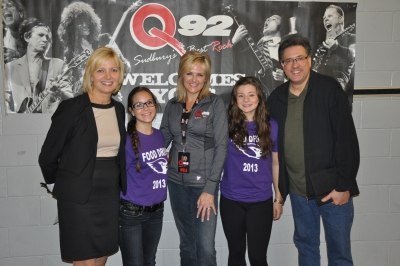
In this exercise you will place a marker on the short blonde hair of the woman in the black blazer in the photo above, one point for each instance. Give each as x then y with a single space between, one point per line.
98 57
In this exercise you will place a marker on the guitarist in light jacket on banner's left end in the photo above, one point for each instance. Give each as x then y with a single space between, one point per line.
33 75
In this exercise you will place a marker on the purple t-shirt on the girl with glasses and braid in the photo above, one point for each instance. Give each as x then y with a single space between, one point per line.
150 185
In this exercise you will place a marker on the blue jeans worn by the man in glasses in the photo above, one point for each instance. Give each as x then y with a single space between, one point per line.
337 222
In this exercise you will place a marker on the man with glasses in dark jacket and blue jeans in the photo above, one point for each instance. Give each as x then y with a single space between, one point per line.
318 155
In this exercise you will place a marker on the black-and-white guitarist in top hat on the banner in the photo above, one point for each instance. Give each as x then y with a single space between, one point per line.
268 45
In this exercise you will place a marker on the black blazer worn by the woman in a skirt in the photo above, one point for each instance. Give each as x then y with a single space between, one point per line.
68 153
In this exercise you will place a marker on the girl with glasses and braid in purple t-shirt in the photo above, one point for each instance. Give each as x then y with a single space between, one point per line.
142 208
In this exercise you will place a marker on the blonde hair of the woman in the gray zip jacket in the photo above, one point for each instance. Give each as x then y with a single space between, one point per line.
186 64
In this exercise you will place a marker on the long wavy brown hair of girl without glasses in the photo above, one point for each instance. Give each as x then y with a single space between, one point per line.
237 120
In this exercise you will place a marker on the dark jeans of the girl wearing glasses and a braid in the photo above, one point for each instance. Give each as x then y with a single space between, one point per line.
139 234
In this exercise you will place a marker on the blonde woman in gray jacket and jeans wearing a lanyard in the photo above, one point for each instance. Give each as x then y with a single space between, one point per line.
195 122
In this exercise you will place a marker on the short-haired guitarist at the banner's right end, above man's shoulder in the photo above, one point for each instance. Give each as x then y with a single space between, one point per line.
336 55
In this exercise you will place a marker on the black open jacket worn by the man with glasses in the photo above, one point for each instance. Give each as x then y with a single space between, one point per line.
330 138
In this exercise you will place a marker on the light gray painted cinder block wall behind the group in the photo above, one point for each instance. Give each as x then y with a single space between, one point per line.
28 236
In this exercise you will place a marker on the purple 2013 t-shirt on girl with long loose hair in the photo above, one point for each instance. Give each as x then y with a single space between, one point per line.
248 177
